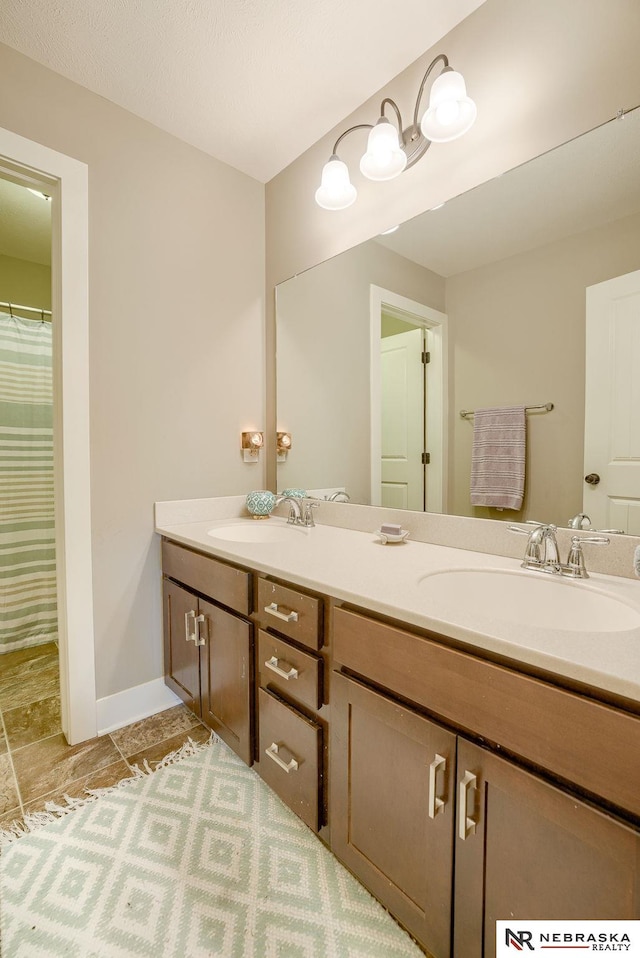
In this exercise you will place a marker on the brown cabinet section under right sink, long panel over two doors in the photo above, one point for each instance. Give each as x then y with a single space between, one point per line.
509 841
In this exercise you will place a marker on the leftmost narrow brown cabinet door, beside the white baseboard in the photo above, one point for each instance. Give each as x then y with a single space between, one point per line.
181 654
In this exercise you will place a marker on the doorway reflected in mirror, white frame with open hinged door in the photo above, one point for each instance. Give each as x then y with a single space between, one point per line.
408 403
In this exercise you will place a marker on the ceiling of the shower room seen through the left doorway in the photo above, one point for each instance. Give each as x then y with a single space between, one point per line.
25 224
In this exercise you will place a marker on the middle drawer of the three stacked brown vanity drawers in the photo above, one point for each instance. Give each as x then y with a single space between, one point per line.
295 673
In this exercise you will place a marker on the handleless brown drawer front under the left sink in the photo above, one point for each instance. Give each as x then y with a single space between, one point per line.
209 576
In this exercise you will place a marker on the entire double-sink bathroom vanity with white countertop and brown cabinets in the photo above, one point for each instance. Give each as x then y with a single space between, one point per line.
462 776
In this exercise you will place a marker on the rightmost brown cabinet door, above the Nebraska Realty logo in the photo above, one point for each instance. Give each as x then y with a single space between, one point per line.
531 851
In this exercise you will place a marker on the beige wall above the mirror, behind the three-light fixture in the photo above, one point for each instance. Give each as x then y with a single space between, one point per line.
541 73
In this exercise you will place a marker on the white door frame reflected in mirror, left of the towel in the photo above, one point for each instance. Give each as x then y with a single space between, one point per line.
436 324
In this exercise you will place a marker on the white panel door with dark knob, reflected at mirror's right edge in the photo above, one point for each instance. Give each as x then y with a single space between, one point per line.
612 404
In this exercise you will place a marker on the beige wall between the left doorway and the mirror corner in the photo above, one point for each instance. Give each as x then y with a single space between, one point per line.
176 296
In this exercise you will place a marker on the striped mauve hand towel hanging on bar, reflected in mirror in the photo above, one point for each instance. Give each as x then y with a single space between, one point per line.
498 457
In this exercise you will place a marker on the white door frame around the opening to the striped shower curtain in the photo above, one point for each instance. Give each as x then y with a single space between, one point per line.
66 180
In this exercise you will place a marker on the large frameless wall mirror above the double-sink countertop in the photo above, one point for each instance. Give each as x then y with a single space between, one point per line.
496 287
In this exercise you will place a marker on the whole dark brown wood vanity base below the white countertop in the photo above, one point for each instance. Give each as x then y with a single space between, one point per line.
460 791
